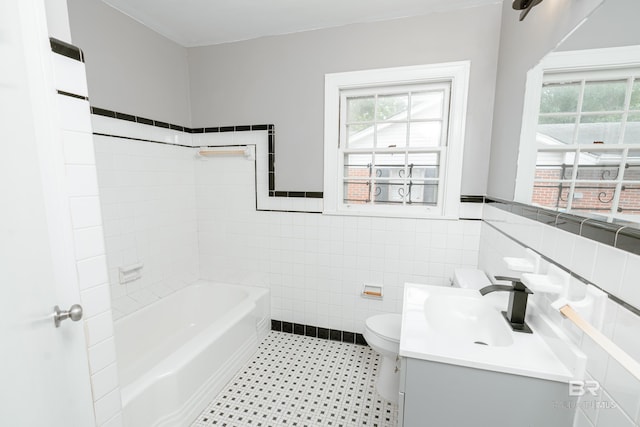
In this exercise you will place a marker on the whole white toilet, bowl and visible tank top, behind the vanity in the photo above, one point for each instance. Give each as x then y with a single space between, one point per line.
382 333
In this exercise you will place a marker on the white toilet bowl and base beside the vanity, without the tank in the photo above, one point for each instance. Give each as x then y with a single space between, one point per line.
382 333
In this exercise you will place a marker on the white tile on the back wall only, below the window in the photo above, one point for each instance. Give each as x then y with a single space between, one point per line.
316 265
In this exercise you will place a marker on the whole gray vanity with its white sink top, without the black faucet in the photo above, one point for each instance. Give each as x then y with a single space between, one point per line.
462 365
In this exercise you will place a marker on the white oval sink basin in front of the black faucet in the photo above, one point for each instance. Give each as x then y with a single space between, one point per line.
468 319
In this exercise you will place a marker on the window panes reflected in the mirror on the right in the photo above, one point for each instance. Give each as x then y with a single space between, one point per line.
588 142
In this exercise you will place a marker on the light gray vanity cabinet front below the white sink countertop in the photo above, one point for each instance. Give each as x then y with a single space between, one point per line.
434 394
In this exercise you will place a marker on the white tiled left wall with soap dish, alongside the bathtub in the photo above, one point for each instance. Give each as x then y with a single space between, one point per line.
147 192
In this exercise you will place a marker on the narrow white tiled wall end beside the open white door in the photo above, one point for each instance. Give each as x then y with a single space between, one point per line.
84 208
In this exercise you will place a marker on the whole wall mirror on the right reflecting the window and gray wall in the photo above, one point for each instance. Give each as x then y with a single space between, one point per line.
580 150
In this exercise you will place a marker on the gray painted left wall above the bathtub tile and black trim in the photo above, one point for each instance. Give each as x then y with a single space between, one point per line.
130 68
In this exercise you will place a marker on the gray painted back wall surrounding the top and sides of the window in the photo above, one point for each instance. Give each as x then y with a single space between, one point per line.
280 80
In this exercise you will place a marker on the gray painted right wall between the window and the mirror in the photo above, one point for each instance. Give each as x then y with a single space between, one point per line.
522 45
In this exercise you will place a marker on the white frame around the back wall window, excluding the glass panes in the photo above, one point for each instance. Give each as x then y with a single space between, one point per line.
454 73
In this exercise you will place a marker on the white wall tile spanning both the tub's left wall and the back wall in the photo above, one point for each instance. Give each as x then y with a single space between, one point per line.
186 217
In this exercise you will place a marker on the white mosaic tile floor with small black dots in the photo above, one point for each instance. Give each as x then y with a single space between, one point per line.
294 380
